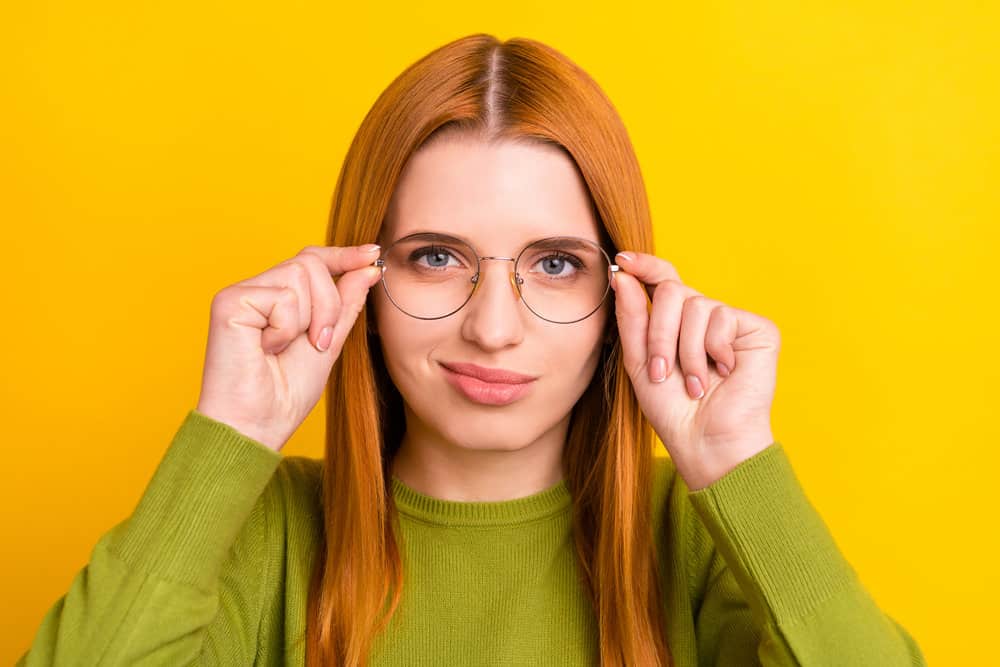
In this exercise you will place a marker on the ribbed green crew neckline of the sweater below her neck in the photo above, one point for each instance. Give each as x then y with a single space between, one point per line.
553 500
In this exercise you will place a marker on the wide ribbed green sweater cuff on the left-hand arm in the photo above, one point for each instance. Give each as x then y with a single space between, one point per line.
196 502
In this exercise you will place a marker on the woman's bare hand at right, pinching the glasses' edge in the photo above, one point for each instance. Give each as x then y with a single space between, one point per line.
706 435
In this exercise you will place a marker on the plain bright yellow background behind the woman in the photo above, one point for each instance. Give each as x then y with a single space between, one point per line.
832 166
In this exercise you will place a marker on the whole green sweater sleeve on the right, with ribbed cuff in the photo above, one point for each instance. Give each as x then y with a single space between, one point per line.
779 592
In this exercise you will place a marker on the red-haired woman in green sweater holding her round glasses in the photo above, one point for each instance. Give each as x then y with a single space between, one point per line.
489 493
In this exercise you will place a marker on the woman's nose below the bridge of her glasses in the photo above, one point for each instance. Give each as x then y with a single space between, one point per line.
493 316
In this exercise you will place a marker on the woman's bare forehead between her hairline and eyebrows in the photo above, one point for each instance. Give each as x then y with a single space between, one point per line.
496 196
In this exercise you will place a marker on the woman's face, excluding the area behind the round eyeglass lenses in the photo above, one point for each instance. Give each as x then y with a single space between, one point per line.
497 198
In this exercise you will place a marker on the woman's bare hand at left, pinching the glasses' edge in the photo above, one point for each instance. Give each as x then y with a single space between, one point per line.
265 362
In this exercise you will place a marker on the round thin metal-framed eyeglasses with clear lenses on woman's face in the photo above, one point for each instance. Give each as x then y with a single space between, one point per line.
561 279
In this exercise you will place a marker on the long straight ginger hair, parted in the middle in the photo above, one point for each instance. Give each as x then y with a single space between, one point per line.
513 90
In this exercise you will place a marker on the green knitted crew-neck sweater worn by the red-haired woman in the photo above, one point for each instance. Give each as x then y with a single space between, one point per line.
213 566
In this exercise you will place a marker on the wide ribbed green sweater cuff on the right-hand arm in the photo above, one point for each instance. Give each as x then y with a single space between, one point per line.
780 550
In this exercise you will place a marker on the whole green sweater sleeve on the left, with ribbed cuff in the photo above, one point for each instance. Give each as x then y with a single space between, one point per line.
180 580
